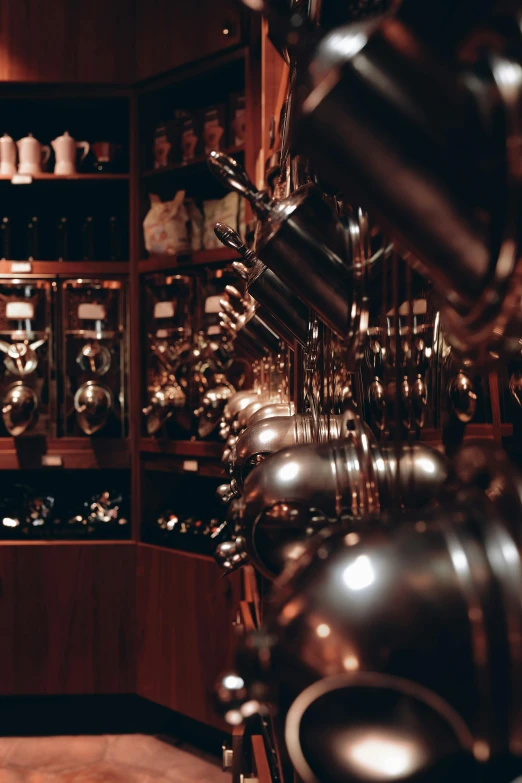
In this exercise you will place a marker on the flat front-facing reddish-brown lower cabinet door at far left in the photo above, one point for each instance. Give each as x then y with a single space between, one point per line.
67 615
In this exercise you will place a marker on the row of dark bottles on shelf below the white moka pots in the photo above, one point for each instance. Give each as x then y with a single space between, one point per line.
69 239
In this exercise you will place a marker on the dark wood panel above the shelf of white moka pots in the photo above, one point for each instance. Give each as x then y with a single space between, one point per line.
66 41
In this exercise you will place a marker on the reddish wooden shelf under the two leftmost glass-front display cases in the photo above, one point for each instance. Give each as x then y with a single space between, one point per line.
32 452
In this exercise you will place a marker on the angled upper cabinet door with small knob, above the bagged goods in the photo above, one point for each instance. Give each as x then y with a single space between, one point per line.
171 34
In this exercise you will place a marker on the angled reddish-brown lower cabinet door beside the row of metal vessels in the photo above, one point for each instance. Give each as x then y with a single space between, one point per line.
185 634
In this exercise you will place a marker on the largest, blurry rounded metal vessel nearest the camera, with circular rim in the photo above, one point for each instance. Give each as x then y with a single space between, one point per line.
428 607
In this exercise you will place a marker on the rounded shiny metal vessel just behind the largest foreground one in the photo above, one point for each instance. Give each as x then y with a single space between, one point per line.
300 489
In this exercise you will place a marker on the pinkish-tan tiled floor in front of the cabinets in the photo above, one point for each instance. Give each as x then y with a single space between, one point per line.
133 758
